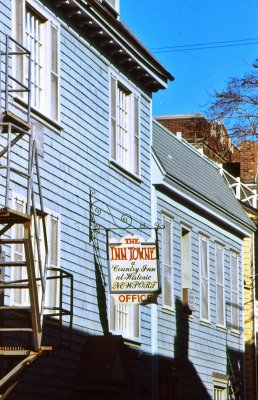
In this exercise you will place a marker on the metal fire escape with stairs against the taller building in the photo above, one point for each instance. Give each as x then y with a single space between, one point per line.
21 326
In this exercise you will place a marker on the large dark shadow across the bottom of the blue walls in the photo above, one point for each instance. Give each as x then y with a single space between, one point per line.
104 368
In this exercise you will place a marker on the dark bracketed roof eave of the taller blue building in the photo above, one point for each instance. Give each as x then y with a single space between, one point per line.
115 41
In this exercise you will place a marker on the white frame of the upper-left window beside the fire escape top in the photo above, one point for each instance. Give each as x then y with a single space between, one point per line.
50 30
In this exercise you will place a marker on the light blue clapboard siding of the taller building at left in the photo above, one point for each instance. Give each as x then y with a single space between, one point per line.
77 158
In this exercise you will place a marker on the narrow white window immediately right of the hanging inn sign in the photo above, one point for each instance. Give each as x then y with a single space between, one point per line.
167 268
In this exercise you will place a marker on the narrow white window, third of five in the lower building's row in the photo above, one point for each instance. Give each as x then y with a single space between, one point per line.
204 278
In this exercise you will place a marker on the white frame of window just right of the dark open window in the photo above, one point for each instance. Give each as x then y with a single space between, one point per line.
204 279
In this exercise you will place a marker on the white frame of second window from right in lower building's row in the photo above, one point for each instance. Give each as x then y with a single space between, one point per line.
220 285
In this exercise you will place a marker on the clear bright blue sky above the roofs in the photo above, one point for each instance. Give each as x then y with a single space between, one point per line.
197 73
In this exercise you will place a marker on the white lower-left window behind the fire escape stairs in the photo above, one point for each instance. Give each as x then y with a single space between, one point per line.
21 297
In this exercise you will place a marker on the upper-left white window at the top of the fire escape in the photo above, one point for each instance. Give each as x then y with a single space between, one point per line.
35 31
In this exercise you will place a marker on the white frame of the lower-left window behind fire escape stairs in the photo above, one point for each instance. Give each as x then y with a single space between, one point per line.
24 293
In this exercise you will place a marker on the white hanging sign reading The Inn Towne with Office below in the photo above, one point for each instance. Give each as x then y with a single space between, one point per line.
134 275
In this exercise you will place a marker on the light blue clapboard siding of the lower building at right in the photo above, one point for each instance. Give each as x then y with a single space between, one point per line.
207 343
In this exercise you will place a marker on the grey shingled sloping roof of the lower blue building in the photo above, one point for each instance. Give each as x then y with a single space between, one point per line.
196 178
